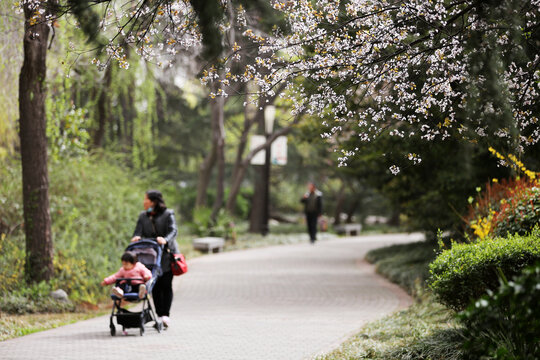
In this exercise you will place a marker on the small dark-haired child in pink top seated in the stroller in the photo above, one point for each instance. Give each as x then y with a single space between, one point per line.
133 269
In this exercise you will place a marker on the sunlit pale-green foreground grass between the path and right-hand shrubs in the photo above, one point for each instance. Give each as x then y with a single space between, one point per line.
426 330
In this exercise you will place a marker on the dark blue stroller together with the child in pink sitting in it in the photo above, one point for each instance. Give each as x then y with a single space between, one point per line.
130 286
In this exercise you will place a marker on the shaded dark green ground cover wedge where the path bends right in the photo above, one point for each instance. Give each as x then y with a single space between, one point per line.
404 264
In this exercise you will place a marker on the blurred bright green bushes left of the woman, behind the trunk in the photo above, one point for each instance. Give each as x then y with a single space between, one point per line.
94 203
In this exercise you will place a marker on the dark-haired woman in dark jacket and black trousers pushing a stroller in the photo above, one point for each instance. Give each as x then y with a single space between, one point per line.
156 221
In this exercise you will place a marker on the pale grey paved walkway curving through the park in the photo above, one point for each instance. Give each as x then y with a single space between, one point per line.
284 302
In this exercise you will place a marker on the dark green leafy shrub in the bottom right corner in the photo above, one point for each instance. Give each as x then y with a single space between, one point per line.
506 324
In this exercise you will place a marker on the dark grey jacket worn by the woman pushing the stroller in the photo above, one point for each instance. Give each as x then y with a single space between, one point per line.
165 226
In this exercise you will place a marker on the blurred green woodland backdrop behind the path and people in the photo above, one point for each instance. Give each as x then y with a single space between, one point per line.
116 129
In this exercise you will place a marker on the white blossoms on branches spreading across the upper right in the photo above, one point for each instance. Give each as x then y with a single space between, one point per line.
413 69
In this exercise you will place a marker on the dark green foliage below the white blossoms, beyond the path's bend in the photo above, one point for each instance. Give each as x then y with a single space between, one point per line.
432 193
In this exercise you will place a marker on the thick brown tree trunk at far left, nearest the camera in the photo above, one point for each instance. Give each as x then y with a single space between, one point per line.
32 95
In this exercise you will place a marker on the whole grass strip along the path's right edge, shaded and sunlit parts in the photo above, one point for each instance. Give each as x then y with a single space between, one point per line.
427 330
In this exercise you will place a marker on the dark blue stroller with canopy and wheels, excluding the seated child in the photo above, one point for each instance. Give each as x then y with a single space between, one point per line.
149 254
